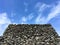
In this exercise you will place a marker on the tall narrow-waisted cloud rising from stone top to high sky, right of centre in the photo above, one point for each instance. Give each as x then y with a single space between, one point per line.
41 7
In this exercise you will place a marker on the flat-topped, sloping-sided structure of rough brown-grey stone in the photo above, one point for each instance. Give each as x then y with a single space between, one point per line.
33 34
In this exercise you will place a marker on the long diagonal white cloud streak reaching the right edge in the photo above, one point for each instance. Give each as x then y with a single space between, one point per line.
54 12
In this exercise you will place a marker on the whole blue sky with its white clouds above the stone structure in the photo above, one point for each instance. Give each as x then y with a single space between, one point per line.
29 12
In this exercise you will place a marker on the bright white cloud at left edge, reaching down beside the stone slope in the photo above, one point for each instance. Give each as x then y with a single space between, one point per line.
4 22
